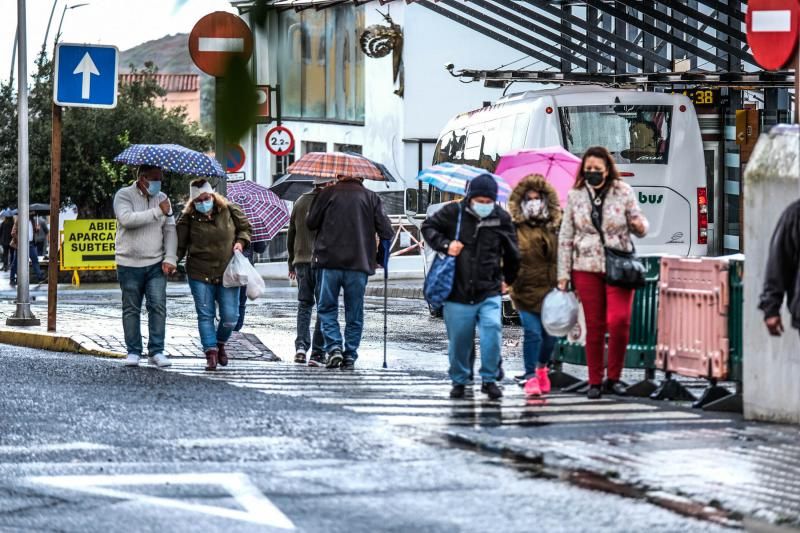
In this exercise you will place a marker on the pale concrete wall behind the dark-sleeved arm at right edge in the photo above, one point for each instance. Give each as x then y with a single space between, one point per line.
771 365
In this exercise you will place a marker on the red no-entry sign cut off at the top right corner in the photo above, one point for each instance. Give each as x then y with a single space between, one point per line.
772 29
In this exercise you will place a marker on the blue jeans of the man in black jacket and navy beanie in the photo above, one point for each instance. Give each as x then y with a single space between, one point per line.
460 321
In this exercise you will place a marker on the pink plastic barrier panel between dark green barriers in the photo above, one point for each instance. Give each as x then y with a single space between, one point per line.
693 317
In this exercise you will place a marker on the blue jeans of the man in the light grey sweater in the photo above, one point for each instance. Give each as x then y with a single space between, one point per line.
136 284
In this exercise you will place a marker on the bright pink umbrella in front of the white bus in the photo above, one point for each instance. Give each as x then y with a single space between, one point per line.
557 165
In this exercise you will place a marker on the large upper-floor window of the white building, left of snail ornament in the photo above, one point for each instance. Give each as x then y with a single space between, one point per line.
321 67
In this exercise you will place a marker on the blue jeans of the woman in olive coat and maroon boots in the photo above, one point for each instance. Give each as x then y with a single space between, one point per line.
207 296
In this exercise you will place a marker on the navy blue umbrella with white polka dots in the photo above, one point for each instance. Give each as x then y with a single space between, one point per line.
172 157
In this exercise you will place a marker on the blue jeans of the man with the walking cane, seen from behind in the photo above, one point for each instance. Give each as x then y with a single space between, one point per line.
332 282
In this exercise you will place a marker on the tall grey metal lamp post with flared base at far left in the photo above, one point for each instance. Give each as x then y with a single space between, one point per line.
23 315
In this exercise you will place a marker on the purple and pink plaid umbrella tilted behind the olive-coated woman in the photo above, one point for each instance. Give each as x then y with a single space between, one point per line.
266 212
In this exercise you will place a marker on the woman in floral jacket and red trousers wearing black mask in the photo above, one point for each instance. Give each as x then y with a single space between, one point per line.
581 257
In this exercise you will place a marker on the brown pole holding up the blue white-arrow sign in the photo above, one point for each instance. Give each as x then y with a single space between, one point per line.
55 207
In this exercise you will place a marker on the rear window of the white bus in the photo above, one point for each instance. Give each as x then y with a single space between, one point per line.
632 133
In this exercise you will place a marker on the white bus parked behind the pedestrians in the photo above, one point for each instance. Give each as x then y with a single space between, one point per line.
654 138
